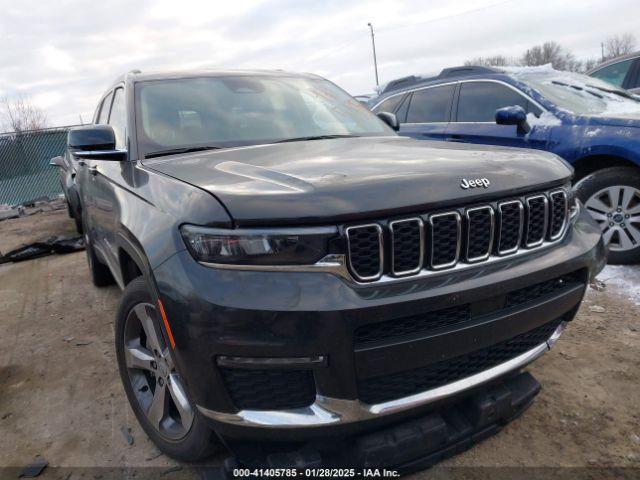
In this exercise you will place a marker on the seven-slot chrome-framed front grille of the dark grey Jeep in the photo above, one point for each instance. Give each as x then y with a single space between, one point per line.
442 240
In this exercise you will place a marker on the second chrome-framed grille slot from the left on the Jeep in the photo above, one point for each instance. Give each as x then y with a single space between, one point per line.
403 235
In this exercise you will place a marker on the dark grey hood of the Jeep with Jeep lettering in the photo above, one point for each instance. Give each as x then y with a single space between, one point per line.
355 178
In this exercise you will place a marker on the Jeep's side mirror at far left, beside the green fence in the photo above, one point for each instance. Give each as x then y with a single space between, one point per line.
94 142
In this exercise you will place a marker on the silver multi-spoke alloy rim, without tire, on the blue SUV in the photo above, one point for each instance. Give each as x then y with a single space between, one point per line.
617 211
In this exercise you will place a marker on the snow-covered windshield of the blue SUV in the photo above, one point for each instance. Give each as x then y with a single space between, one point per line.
582 95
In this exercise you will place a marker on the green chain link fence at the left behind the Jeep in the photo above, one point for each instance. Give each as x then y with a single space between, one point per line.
25 173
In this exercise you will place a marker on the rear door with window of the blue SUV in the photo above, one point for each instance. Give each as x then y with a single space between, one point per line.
428 112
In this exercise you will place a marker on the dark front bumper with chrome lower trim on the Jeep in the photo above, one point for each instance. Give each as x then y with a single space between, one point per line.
314 315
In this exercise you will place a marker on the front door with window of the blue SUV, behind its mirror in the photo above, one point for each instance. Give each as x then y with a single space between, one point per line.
474 116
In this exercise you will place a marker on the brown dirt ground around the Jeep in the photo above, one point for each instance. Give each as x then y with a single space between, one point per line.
61 397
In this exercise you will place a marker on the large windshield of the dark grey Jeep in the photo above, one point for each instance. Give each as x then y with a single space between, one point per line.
230 111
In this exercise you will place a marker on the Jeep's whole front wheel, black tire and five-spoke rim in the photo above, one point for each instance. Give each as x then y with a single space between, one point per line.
154 388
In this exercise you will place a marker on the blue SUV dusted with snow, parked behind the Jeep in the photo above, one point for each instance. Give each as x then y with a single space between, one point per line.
591 124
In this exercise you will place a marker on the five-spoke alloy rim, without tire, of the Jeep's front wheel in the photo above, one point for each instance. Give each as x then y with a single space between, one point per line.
156 385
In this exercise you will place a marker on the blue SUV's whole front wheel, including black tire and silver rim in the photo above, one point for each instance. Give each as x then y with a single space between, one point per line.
612 197
